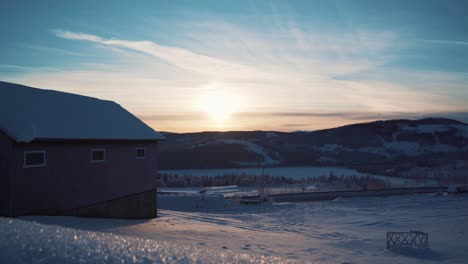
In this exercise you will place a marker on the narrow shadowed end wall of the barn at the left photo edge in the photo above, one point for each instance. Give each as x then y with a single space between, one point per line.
6 150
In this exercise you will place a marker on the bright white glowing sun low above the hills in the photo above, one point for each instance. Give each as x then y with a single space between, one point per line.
219 106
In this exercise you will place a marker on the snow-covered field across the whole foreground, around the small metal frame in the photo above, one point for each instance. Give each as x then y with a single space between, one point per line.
211 229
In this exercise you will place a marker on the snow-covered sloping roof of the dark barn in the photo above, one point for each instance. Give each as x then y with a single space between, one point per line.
28 114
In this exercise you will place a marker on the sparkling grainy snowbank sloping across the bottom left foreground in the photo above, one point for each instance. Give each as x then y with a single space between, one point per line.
30 242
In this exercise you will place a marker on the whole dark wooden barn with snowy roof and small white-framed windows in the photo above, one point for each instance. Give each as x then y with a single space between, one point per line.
67 154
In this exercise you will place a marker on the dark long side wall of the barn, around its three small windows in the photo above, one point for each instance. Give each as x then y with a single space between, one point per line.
70 180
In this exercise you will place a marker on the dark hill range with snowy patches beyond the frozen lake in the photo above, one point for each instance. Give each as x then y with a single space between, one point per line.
383 146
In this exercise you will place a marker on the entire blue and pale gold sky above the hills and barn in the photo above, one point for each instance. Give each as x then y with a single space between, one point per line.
186 66
